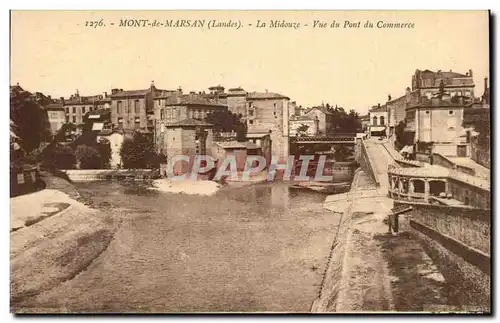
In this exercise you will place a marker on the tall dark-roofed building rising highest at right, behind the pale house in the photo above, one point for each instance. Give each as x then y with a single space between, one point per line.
428 83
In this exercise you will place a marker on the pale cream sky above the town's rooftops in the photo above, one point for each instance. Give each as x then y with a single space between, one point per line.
55 53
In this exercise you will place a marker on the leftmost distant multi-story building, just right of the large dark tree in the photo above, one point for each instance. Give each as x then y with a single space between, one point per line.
77 106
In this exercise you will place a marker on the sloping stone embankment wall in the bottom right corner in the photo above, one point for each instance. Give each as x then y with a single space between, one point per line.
458 240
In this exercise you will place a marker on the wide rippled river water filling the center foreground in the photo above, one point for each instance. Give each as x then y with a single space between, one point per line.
256 248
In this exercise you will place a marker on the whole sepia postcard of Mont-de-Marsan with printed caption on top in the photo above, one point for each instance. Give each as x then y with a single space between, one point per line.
250 162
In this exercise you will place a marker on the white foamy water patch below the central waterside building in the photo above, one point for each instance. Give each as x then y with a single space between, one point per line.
205 188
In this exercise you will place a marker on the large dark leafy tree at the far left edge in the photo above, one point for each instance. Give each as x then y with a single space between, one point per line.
30 119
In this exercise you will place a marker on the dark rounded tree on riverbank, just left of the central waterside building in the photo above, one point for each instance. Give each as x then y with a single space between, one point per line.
139 152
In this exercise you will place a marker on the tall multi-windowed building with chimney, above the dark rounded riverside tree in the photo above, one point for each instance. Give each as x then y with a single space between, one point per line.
134 109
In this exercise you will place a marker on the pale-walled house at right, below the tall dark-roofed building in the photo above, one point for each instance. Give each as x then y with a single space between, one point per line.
437 126
